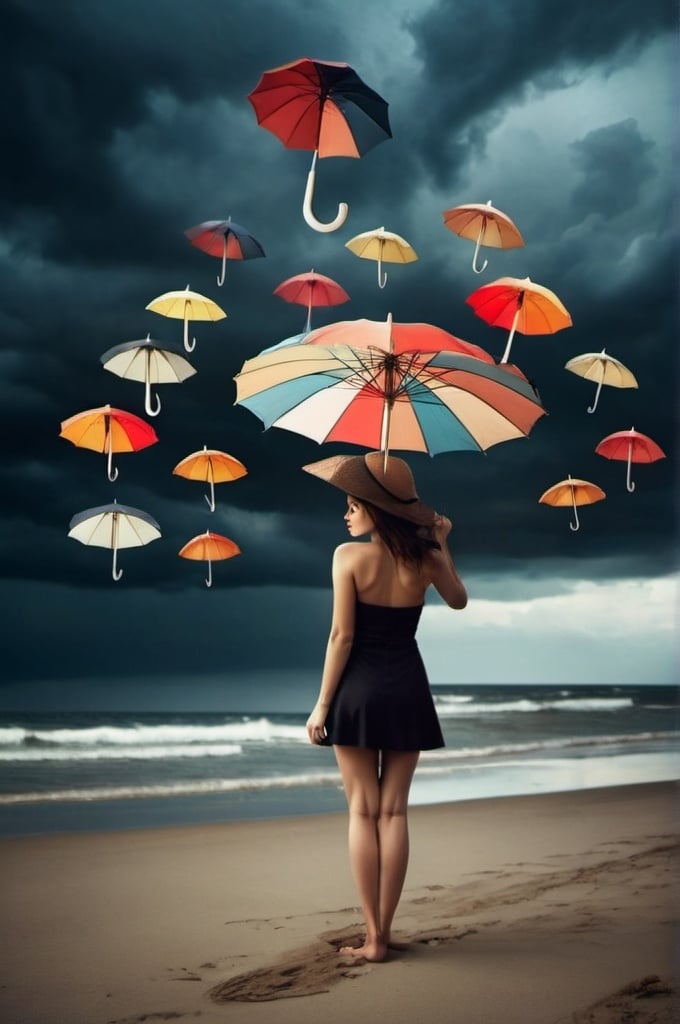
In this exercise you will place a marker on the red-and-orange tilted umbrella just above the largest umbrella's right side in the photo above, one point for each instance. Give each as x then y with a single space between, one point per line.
521 306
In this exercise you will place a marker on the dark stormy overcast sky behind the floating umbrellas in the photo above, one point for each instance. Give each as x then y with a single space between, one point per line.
126 123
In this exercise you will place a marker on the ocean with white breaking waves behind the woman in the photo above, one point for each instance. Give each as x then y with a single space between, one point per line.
80 772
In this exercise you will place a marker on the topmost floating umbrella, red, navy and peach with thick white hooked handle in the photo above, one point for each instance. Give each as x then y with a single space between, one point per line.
324 107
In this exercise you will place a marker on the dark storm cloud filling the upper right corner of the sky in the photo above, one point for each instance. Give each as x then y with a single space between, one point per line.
479 59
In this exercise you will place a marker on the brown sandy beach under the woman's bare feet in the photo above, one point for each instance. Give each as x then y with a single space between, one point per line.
546 910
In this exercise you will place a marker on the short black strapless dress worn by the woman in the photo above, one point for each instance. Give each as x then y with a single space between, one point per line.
384 700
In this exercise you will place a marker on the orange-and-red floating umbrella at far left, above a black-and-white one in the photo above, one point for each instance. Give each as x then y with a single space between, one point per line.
109 431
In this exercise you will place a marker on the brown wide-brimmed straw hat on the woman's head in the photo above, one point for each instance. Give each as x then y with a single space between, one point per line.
365 477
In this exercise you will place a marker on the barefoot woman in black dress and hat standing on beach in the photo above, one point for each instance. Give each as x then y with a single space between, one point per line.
374 704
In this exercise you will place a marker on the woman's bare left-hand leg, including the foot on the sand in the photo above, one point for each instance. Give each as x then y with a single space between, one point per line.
359 769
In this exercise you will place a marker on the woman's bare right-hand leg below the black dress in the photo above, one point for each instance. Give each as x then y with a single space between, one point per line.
397 774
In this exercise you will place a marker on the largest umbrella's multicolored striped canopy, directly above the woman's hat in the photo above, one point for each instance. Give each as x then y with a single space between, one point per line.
418 402
